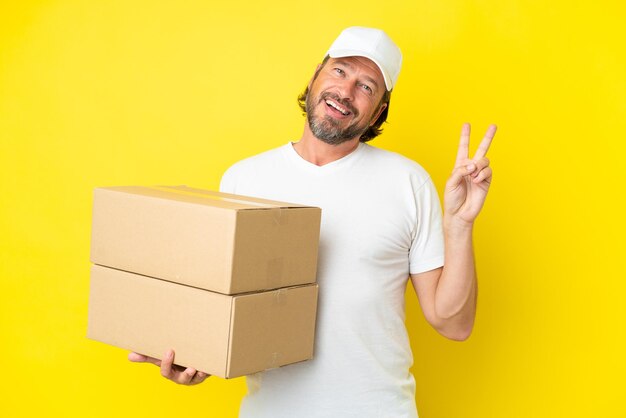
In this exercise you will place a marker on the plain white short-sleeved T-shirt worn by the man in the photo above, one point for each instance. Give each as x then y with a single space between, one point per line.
381 220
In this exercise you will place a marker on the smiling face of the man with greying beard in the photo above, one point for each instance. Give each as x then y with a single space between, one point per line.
344 99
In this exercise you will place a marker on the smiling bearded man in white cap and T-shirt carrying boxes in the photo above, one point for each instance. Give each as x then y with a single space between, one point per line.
381 225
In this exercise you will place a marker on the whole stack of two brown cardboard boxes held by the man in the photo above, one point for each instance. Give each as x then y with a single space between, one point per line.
227 281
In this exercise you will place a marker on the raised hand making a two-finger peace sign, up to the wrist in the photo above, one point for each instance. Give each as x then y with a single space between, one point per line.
467 187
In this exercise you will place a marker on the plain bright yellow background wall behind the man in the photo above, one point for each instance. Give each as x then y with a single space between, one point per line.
96 93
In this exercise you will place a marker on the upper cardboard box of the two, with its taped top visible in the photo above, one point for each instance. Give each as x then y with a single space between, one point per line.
220 242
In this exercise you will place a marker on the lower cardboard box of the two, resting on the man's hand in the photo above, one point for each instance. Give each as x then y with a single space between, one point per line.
226 336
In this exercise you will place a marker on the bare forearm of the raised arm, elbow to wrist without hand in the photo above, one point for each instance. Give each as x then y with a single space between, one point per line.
455 297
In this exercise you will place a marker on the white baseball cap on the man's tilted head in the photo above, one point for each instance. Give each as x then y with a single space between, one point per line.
370 43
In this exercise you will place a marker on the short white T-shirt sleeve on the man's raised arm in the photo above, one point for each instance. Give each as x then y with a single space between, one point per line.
427 246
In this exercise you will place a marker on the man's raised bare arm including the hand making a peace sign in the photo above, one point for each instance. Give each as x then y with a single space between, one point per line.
449 295
